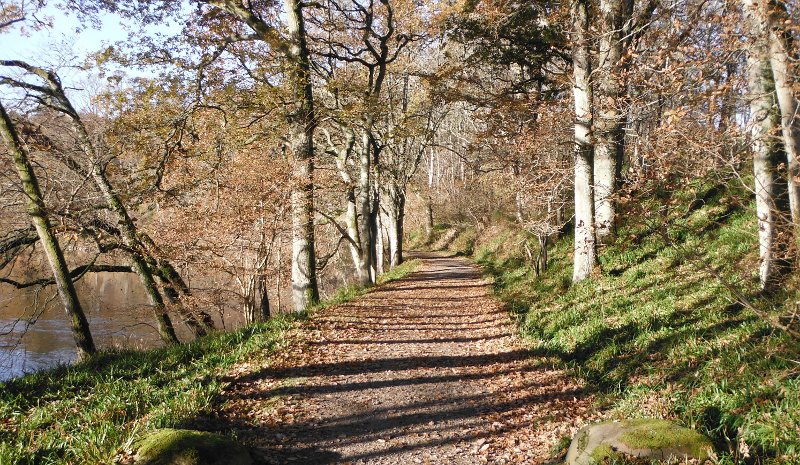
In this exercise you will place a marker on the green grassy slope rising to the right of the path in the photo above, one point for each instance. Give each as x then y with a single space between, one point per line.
657 332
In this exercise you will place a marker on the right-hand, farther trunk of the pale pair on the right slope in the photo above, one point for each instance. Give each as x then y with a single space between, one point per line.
608 144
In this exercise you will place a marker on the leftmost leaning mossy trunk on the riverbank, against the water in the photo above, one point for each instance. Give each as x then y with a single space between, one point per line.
36 209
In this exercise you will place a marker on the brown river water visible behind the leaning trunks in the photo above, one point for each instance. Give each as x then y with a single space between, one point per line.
35 332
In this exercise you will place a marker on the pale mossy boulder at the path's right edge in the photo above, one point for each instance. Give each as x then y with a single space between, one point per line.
645 438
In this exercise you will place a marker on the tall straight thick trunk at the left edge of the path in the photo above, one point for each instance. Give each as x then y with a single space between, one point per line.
301 134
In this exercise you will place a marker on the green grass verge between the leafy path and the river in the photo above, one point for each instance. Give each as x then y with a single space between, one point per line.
86 413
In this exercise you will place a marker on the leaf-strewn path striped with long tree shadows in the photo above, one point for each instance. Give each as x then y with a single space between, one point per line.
425 370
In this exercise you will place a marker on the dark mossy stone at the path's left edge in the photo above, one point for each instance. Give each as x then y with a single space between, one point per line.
188 447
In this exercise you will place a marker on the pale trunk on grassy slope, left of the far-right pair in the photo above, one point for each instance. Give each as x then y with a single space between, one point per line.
772 225
